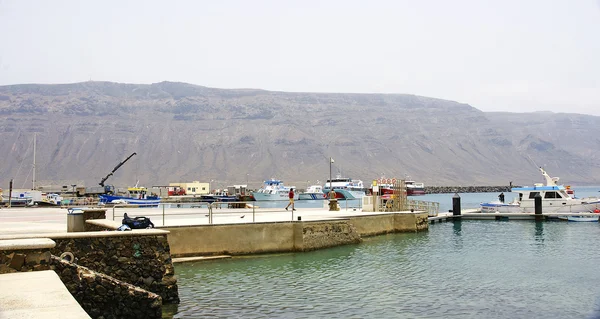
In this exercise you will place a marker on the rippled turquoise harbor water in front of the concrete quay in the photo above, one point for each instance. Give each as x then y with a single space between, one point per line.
469 269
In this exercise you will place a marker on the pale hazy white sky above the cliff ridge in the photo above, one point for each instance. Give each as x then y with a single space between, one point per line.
497 55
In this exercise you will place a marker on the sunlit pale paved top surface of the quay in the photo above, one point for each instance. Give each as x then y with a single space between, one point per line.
23 221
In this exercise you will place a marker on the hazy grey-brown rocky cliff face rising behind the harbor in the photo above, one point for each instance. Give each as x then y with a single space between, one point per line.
183 132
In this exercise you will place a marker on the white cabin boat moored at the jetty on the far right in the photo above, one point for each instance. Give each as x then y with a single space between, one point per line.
555 199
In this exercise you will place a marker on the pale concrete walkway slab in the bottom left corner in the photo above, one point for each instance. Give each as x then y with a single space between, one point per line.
38 294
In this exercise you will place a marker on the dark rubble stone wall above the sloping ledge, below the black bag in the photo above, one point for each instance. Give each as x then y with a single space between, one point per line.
143 261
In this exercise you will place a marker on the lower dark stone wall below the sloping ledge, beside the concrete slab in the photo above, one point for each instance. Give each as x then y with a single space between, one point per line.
105 297
